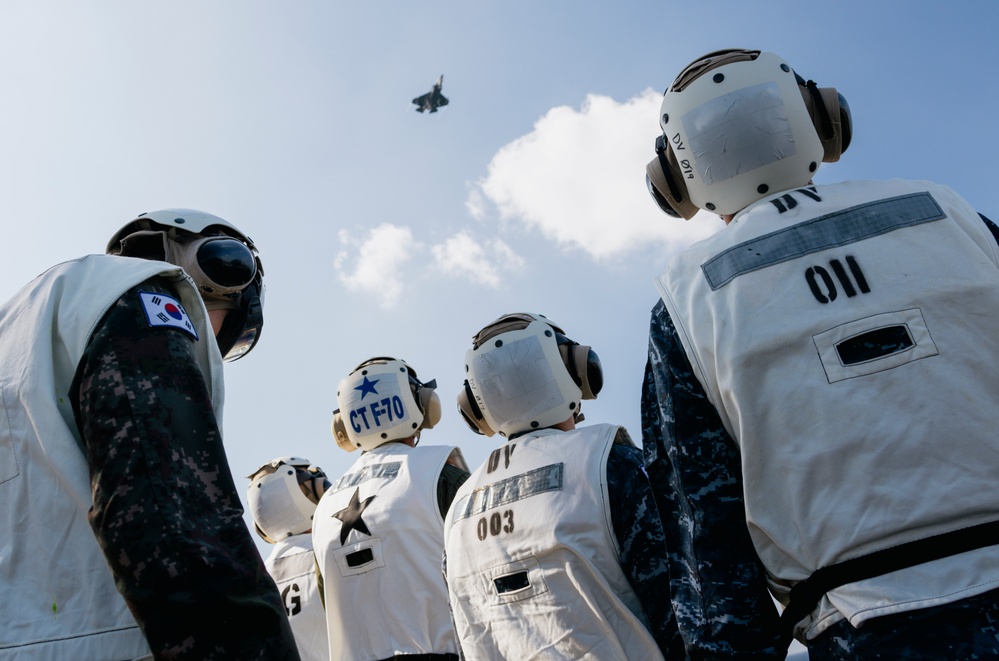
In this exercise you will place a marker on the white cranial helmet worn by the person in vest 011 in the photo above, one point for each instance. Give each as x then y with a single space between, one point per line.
740 125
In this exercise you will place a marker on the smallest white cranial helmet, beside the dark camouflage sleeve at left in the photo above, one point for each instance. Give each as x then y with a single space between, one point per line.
282 497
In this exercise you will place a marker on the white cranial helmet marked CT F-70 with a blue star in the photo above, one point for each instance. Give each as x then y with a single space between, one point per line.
382 401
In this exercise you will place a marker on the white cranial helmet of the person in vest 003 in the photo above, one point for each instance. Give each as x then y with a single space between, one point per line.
524 374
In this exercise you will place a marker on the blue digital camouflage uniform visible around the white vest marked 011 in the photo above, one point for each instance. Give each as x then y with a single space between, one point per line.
718 586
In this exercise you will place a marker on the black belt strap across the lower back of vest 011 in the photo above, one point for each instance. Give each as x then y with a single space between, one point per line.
806 594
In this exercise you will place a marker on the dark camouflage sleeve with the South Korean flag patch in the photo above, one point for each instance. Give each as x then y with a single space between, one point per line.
166 511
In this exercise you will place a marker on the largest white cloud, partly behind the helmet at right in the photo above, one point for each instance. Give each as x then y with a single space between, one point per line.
579 179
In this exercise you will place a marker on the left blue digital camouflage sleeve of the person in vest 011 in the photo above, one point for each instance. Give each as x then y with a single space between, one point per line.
717 582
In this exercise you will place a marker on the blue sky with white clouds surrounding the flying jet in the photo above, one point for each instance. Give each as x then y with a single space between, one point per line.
388 232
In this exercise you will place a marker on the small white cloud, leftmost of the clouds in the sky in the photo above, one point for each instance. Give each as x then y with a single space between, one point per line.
373 264
